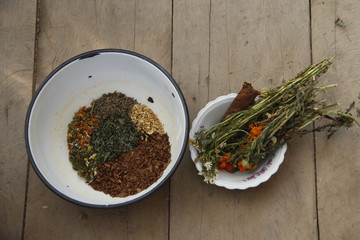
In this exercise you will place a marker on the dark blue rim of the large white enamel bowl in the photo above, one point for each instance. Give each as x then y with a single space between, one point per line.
90 54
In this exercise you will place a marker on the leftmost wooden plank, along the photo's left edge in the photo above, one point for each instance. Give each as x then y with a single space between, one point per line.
17 34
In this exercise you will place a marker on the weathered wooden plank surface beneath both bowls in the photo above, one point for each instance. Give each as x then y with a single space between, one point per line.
211 48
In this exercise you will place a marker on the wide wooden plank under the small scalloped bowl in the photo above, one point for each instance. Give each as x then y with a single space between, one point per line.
262 43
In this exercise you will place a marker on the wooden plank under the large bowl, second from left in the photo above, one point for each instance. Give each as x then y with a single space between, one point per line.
68 28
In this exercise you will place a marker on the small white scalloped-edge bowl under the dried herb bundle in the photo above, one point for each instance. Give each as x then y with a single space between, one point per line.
209 116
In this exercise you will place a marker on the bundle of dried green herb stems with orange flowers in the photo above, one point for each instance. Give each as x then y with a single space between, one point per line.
245 138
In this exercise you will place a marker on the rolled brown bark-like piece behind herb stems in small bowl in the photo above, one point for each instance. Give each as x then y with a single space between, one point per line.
243 100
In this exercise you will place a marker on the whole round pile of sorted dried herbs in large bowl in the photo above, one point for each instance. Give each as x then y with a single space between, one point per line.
118 145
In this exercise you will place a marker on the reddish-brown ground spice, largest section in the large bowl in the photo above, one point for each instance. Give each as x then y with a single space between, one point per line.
134 171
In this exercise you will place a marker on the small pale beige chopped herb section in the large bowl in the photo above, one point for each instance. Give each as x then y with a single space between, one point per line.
146 120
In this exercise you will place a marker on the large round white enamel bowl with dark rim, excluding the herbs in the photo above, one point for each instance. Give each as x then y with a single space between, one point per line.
76 83
